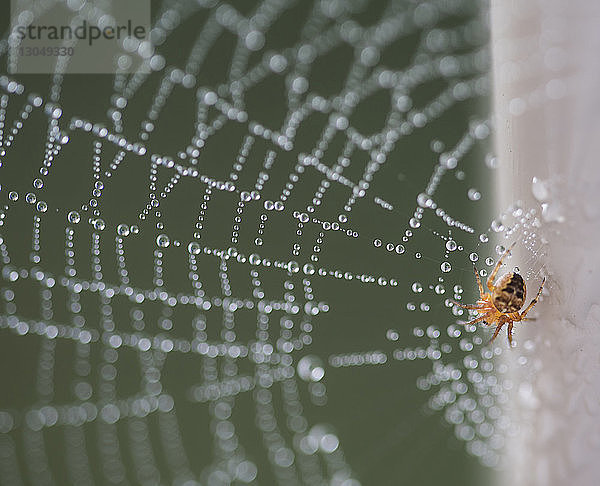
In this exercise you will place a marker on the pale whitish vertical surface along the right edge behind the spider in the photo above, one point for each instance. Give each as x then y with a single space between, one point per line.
547 101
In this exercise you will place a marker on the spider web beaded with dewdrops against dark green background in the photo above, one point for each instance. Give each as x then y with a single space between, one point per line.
197 257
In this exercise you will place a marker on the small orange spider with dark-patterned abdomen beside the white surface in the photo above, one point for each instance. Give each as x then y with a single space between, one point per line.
501 304
